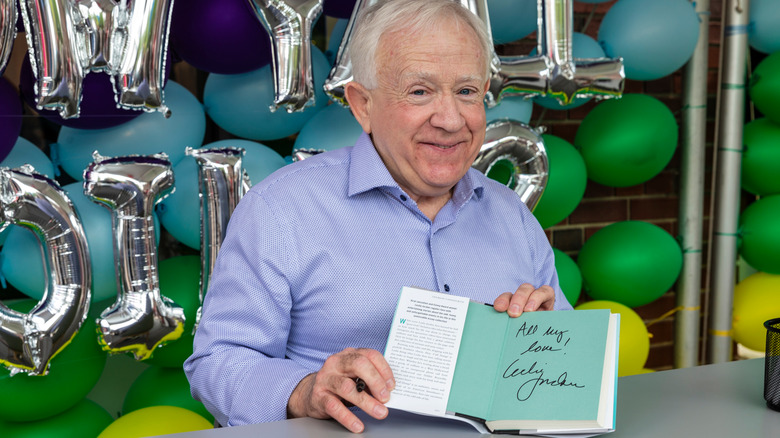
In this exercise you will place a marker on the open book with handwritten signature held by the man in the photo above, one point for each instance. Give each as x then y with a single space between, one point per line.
543 373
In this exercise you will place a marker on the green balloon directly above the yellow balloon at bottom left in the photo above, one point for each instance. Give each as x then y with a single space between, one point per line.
158 386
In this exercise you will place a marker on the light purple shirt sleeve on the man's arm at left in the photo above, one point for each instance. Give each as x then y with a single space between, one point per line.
238 367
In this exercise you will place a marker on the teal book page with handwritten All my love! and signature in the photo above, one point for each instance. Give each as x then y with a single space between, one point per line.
551 366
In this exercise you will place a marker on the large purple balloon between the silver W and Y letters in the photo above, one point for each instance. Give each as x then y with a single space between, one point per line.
221 36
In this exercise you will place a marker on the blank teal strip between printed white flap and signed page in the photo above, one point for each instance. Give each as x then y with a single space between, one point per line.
480 350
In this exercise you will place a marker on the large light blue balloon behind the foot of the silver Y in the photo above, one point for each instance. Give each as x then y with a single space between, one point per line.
241 103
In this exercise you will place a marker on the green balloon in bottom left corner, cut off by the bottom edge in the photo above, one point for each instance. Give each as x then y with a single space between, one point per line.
86 419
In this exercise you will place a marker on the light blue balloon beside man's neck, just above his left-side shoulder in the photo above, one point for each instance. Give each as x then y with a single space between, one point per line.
331 128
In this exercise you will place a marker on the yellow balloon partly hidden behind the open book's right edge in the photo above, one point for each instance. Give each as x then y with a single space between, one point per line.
634 345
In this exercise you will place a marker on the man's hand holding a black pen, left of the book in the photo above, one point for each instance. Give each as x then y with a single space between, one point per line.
325 394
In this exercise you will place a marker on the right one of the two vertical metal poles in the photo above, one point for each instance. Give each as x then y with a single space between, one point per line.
731 113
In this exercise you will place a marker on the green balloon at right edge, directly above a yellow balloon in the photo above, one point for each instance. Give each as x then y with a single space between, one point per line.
760 234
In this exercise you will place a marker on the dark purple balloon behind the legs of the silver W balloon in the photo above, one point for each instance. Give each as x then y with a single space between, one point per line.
97 109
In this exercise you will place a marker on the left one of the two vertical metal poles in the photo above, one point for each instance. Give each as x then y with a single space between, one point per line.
687 320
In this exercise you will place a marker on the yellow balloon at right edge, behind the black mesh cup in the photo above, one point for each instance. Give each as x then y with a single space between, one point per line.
756 299
